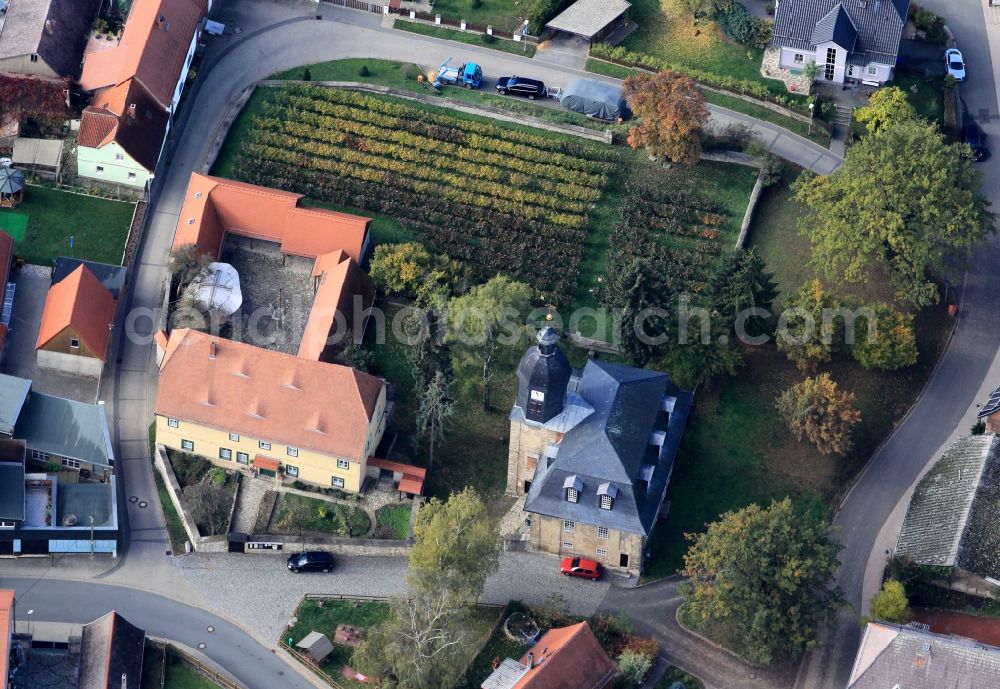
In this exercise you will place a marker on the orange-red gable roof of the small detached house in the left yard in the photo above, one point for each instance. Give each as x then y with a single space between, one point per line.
82 303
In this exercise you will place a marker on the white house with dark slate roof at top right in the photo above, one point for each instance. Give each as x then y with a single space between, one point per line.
846 39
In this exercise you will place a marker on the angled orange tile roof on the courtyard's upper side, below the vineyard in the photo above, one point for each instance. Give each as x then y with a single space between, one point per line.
214 206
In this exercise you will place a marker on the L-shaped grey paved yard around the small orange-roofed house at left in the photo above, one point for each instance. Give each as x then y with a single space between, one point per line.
19 357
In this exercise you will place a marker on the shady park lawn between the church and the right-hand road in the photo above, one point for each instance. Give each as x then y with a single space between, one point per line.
736 451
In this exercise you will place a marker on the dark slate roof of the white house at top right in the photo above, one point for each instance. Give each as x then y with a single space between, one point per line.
877 24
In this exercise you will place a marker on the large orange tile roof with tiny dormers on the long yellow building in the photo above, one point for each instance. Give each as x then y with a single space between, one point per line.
267 395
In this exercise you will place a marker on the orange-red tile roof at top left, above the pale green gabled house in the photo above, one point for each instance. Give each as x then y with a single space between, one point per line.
152 49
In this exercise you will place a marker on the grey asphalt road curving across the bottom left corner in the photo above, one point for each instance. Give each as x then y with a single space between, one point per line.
227 645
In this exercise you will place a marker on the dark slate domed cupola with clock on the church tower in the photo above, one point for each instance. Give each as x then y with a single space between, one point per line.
542 378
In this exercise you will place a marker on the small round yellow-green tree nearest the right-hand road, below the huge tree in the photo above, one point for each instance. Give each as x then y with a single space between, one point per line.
885 339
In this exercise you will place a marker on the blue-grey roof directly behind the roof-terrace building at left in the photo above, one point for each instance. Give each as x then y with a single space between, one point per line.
65 427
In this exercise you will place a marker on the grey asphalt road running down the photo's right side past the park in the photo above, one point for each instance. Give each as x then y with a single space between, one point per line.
946 409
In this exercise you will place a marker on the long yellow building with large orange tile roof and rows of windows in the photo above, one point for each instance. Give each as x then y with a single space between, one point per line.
242 406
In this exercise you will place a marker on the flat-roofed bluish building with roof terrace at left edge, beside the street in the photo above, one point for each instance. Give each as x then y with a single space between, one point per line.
44 512
